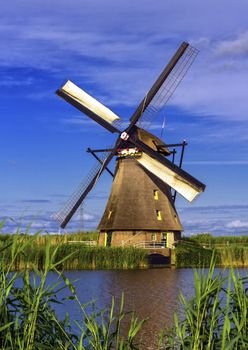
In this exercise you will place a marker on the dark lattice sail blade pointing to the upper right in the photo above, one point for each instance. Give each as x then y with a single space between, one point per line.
164 86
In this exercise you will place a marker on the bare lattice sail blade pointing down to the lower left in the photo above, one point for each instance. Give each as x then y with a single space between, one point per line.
74 202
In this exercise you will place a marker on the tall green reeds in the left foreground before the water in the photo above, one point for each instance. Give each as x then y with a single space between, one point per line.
27 318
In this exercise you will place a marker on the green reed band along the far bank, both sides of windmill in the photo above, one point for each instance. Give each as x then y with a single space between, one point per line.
83 253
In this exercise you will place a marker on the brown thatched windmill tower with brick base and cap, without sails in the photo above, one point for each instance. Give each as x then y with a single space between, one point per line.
140 207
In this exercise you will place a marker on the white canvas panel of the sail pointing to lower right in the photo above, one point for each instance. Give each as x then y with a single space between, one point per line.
174 180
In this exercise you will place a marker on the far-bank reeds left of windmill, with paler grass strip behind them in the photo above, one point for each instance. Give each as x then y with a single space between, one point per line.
82 256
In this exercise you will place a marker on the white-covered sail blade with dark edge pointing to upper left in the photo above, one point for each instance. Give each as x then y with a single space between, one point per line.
89 105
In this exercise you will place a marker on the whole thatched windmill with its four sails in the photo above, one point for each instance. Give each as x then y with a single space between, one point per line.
141 203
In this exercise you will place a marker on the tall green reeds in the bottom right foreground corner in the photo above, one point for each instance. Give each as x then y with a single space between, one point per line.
216 317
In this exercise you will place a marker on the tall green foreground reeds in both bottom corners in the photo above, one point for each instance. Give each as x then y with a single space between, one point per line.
216 316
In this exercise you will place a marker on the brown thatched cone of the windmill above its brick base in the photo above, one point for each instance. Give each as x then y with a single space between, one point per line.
131 204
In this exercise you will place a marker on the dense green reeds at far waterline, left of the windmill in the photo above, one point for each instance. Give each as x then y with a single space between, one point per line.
79 255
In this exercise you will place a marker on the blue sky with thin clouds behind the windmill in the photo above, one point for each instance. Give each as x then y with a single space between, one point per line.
115 50
